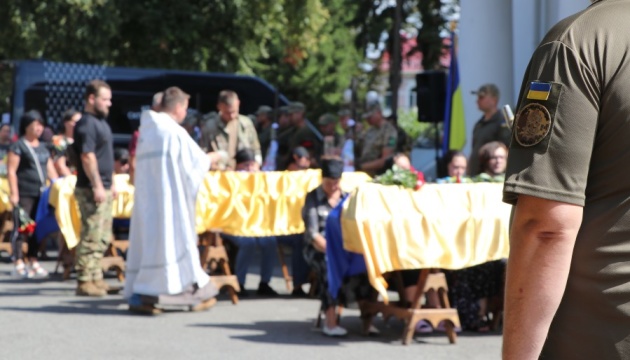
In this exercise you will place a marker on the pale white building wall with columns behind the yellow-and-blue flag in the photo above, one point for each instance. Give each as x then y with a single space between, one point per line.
496 41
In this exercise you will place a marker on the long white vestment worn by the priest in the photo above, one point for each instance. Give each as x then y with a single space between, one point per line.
163 258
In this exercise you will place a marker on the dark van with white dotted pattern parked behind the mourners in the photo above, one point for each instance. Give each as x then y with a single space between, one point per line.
53 87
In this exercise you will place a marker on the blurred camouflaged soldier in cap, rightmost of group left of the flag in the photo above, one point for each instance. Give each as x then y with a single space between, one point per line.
378 142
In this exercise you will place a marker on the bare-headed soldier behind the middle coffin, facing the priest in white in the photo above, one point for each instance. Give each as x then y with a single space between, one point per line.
229 132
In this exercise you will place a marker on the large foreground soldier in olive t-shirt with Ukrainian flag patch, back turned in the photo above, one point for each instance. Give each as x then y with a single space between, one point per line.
568 282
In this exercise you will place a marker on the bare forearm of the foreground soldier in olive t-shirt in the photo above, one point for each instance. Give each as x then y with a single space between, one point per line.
537 272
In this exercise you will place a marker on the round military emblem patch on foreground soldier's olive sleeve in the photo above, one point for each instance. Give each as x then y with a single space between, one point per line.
532 124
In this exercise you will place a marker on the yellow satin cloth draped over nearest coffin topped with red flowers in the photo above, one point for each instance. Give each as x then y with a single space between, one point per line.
448 226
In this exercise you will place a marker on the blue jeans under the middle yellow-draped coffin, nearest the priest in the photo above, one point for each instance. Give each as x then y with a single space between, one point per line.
246 249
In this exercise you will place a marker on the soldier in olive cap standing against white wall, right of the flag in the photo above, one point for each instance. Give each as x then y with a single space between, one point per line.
491 126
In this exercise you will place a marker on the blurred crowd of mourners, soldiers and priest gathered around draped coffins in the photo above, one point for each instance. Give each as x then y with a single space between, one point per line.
166 160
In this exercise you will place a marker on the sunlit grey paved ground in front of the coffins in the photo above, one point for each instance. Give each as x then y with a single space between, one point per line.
42 319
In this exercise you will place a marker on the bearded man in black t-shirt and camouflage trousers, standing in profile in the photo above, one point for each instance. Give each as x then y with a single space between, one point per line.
93 192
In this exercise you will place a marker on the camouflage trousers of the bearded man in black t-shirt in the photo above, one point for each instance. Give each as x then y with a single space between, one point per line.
96 233
